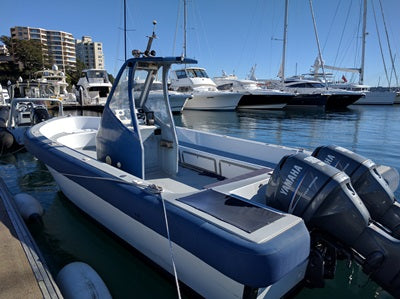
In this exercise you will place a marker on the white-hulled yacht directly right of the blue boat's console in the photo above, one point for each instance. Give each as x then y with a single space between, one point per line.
205 95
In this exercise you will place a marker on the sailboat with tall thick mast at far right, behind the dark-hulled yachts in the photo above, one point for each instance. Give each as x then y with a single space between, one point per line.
373 96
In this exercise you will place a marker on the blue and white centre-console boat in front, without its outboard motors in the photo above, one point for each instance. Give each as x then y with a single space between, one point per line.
240 245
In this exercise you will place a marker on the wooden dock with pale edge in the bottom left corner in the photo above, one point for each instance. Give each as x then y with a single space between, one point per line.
23 272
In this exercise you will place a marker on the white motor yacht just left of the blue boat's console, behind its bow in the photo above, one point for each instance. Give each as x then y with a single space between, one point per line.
93 87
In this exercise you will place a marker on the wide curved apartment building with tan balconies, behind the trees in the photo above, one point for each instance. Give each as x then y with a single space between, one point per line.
58 47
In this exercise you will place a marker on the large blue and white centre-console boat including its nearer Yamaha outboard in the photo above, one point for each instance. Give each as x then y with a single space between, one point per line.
229 218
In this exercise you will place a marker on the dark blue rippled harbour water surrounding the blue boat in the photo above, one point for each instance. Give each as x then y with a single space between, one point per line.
67 235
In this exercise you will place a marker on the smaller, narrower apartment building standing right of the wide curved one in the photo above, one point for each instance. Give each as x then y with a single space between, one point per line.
90 52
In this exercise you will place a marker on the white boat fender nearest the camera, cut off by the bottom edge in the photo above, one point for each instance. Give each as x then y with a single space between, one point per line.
78 280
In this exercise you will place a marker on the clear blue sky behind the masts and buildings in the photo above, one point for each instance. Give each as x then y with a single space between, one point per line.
227 35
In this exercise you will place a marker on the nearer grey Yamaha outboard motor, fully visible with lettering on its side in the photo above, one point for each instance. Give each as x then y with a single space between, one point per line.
324 197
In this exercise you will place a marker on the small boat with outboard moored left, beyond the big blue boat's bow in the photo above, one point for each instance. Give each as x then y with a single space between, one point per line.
20 115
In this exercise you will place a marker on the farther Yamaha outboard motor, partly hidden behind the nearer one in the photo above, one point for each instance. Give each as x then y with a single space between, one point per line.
367 182
